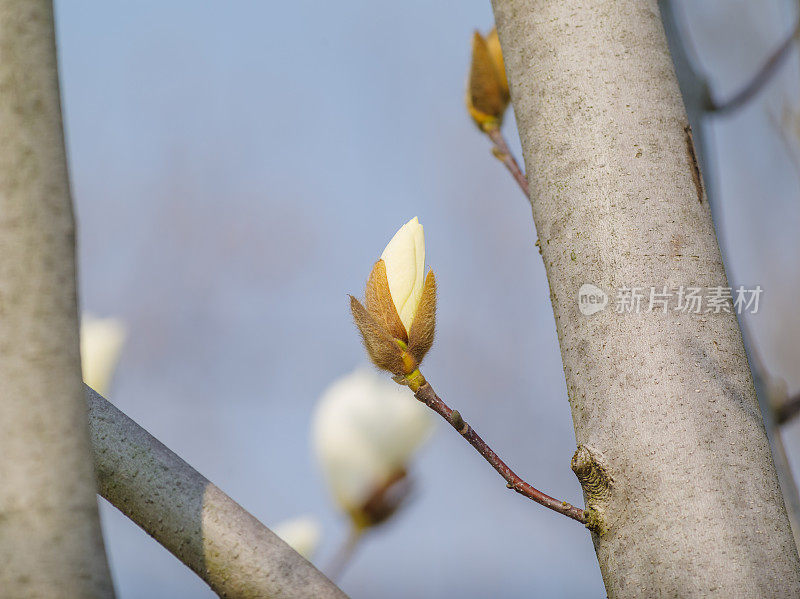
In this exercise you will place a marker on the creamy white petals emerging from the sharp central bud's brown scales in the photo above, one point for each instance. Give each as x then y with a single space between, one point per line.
404 258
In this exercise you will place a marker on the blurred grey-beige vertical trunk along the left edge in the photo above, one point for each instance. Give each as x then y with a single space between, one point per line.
50 539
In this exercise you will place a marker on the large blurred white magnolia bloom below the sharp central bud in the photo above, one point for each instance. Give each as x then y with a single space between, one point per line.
365 432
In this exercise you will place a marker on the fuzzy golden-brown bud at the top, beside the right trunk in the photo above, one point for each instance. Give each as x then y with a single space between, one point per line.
487 87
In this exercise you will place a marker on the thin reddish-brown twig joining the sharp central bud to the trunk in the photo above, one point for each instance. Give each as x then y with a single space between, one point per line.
428 396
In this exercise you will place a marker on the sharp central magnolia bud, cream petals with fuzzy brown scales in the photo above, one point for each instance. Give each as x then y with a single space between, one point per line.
399 320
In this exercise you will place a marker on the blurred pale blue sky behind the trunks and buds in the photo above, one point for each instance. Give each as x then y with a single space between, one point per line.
238 166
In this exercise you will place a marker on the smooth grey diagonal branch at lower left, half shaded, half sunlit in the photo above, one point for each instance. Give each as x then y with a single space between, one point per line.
204 528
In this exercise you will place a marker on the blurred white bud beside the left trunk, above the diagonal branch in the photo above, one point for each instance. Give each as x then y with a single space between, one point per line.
101 344
